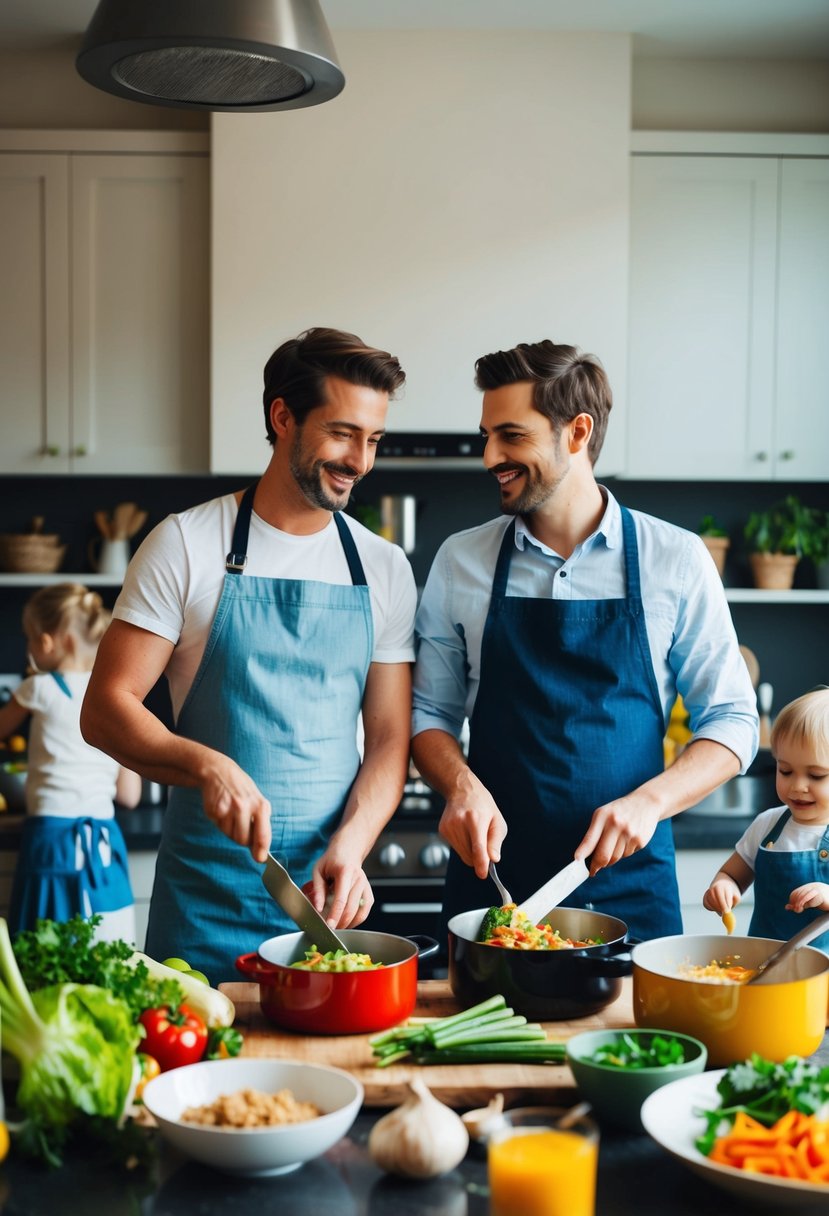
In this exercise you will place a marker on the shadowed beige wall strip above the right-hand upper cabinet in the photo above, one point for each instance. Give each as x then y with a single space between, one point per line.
731 95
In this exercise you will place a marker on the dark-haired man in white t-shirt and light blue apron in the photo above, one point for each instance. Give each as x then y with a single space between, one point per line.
279 623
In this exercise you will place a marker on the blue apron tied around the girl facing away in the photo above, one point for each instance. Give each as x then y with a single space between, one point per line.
69 866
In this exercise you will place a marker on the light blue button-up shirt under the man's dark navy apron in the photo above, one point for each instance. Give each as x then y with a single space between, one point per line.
692 639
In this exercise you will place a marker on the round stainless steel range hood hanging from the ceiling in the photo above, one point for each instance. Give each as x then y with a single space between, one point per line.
215 55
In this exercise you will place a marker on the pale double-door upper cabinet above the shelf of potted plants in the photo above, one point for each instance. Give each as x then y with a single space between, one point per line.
730 306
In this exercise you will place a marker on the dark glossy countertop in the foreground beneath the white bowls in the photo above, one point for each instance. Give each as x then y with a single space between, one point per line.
636 1179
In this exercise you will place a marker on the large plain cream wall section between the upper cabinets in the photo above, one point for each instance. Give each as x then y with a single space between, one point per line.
467 192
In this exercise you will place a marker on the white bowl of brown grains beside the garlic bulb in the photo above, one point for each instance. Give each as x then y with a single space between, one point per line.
253 1117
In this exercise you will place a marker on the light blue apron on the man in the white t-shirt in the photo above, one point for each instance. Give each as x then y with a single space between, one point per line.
279 690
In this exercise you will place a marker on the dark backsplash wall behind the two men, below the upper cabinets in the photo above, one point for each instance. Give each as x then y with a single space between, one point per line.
792 641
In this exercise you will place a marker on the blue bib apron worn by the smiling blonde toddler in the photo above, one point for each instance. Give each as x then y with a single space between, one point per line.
776 876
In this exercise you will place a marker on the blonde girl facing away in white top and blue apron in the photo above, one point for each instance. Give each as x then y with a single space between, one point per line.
74 859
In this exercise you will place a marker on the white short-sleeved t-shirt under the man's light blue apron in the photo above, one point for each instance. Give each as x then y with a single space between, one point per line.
174 582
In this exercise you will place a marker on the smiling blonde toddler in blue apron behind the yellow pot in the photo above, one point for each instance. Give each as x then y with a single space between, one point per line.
786 851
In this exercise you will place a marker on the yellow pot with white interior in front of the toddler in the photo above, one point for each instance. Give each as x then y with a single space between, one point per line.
775 1020
